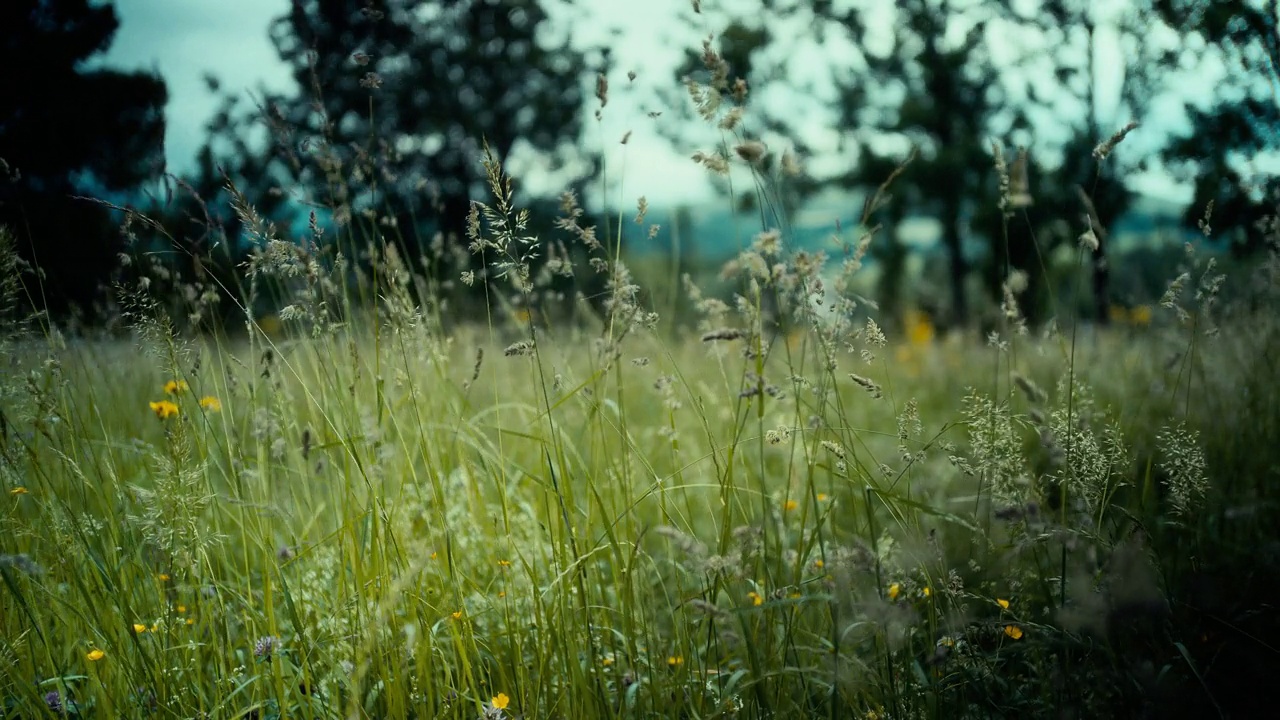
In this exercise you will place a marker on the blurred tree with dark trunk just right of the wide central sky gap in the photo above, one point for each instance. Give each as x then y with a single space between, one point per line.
931 84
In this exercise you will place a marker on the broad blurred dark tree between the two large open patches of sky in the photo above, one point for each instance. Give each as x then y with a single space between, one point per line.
395 101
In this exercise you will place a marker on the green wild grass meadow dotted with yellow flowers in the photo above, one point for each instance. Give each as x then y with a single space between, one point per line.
555 503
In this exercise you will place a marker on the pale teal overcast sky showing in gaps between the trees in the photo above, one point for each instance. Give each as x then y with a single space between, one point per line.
228 39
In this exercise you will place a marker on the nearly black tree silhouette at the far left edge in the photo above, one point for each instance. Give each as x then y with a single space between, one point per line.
67 129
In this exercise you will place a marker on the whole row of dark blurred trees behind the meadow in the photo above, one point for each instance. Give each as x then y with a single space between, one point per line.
996 104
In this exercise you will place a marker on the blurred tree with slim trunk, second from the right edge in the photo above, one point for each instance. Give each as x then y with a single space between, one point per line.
1059 84
